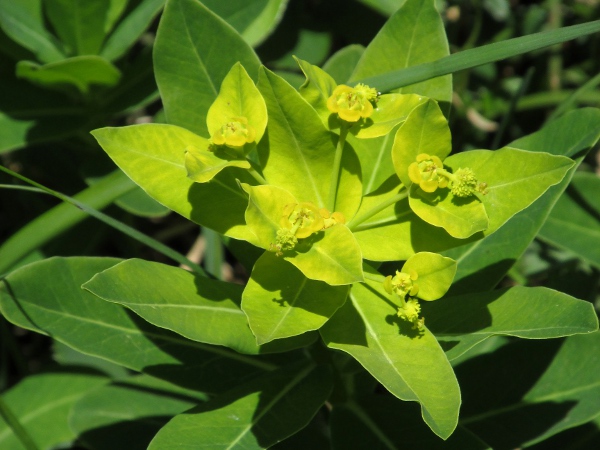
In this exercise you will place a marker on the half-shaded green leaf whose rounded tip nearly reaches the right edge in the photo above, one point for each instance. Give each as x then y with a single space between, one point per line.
531 313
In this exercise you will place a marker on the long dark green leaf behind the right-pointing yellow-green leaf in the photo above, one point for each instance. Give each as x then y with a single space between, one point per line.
570 135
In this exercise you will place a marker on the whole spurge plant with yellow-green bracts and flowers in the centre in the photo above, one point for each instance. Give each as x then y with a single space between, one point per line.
364 218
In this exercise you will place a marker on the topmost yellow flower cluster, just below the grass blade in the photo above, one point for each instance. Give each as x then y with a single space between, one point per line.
352 103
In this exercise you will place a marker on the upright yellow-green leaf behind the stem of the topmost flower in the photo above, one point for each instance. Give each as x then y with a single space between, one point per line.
298 152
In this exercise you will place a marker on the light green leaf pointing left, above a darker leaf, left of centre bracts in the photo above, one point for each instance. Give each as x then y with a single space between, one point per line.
196 307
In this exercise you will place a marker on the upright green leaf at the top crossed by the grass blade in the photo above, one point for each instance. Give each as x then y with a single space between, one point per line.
412 36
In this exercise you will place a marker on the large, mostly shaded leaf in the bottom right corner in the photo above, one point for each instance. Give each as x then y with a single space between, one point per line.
535 390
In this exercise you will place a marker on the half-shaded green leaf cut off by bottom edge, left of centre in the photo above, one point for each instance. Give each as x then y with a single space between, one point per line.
254 416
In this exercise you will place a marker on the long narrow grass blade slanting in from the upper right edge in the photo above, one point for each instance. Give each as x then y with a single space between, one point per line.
477 56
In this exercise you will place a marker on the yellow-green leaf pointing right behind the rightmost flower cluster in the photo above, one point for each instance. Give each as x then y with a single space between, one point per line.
515 178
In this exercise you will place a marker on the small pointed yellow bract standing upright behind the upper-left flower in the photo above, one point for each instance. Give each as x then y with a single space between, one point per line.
238 97
